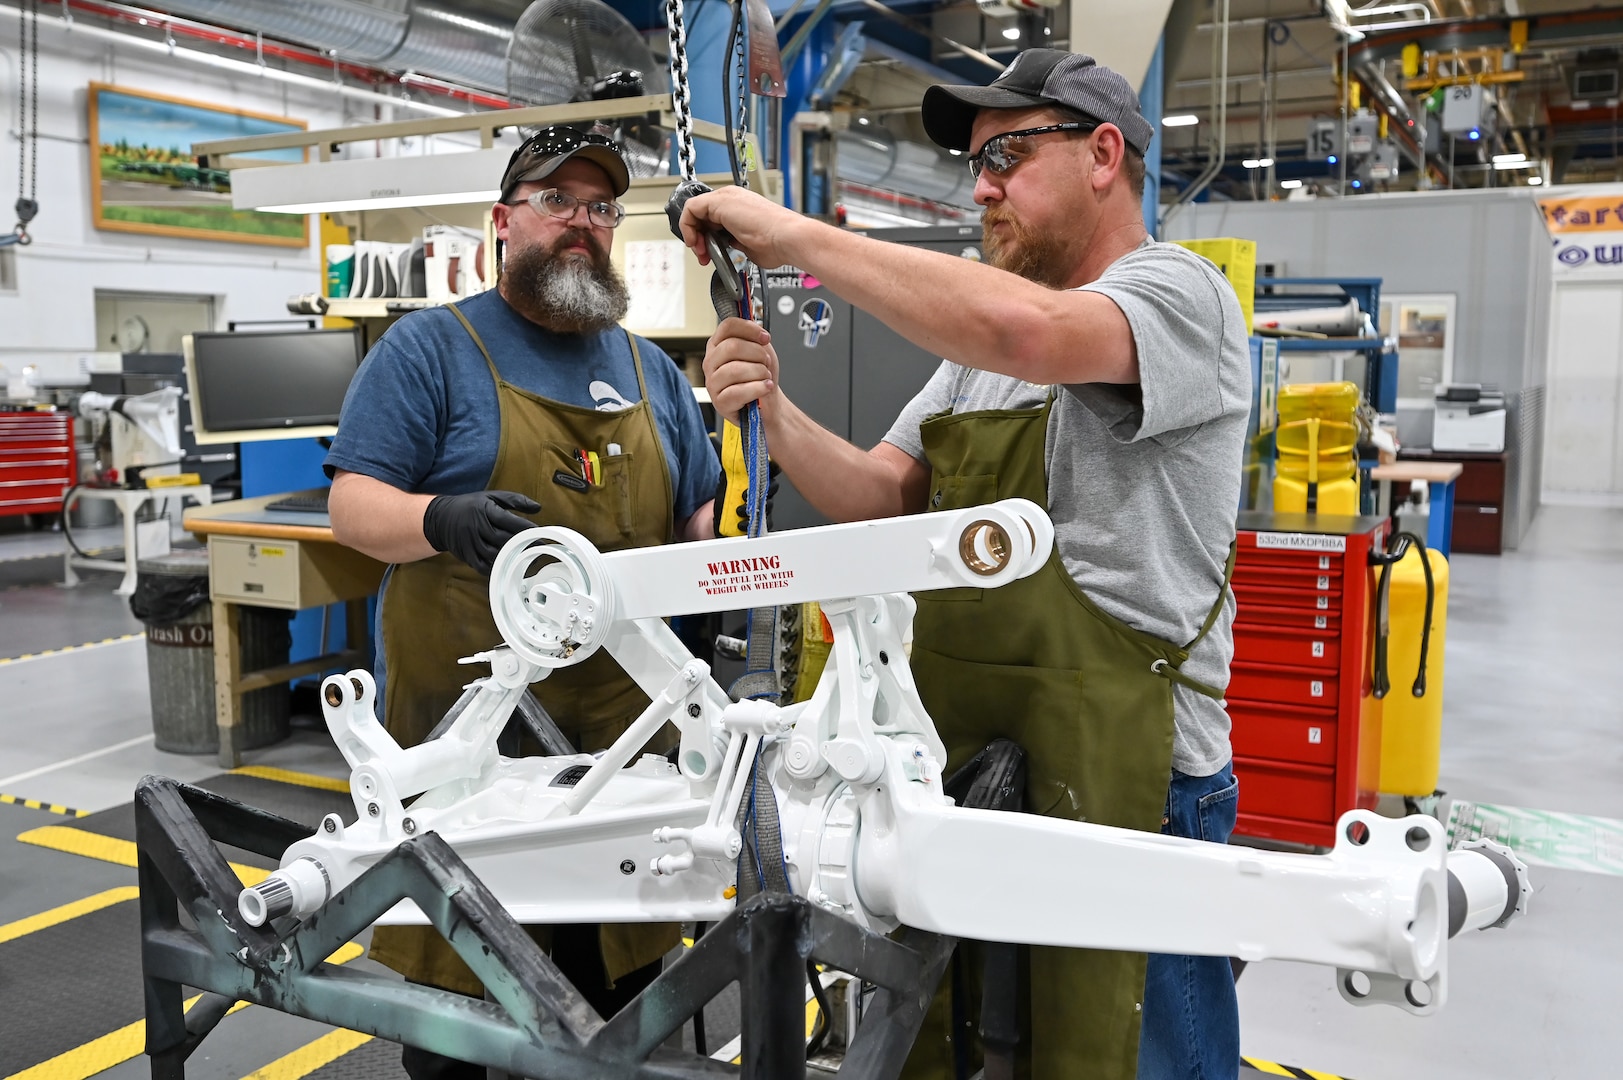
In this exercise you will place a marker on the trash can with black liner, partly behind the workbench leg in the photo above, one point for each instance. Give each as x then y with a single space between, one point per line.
171 600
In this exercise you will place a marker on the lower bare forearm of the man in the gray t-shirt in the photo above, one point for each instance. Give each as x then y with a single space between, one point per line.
840 480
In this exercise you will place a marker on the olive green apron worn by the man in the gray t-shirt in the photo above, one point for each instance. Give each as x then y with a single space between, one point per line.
1090 701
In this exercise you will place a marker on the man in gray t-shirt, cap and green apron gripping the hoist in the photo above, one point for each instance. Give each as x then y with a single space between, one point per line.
1106 378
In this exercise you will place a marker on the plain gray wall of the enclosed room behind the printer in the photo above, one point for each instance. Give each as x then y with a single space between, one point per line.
1489 249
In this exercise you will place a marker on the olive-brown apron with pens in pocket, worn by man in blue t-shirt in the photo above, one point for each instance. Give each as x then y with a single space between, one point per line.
437 611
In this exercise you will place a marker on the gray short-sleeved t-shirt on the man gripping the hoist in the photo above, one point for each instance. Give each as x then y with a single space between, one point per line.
1145 482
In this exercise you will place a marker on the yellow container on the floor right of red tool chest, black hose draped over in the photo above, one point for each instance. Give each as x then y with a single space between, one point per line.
1413 727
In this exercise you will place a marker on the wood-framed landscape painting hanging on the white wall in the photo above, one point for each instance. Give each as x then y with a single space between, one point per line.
147 179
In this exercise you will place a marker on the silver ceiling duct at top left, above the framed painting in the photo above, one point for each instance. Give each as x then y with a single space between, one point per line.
407 35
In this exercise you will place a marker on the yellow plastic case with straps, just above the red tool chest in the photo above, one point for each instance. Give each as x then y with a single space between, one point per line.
1317 447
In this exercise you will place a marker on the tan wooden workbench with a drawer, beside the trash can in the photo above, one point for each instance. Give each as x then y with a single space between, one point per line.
277 559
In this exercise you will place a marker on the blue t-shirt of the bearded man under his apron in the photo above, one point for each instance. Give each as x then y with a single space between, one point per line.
423 417
